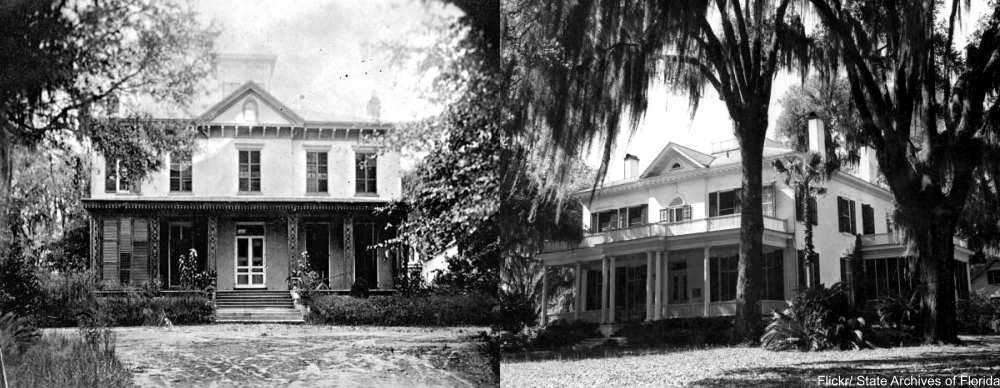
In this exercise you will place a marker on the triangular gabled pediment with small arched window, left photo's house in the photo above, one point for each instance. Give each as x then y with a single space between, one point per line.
250 104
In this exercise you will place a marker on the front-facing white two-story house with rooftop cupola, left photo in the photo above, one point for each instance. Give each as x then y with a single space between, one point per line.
263 185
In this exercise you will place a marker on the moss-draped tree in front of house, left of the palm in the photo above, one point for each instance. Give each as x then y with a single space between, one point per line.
578 67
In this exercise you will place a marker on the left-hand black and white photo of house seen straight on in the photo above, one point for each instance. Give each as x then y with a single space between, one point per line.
264 193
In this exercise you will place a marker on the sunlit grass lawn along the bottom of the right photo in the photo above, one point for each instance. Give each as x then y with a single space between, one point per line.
754 367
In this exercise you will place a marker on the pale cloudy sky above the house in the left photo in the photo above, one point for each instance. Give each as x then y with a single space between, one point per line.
325 60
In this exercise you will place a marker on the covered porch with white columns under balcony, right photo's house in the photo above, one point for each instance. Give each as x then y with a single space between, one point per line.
667 277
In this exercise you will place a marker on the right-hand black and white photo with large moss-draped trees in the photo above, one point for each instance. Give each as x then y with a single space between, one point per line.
728 193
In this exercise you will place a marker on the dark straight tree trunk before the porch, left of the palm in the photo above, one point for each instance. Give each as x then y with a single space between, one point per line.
749 324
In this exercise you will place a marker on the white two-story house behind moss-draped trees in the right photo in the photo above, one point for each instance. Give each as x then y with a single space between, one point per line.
664 242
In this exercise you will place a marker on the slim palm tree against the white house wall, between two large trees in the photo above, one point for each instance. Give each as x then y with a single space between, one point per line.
805 173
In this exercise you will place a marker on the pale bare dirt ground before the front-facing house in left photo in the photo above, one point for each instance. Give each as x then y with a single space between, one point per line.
302 356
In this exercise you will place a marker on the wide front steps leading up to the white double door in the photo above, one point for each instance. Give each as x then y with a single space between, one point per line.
256 306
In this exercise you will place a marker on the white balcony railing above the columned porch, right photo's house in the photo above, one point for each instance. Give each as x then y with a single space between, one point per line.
663 229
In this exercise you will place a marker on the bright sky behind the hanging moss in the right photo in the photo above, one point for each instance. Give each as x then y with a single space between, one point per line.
668 119
